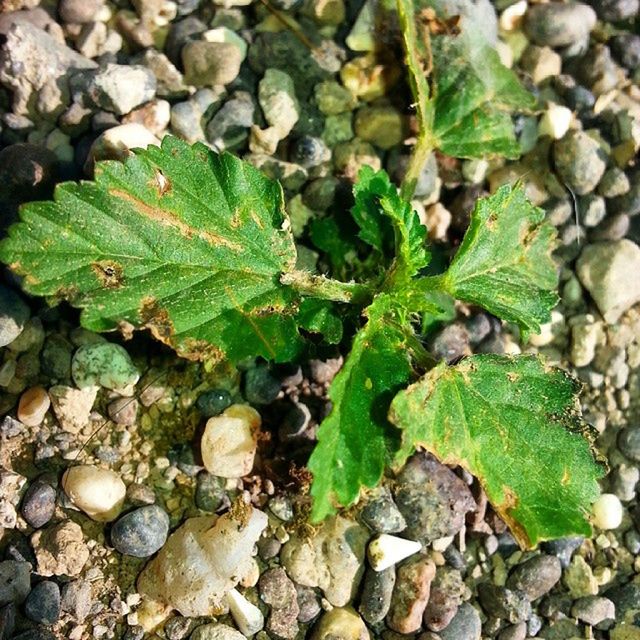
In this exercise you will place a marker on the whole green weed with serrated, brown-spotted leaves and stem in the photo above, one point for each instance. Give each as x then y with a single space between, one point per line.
196 247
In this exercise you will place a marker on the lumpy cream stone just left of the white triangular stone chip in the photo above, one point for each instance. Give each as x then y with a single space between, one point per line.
333 560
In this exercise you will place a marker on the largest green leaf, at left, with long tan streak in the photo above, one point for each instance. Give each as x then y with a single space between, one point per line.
179 240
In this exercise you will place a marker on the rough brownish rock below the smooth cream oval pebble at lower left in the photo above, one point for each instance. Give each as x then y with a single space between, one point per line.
60 549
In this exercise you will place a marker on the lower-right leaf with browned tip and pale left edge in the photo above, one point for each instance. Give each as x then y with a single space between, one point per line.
514 423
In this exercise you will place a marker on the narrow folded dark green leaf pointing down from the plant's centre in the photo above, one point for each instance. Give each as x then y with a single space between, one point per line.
352 441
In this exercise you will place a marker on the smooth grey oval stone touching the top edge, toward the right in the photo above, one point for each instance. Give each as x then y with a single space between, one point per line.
559 24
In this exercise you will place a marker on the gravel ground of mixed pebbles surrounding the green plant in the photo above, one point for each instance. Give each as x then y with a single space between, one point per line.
309 104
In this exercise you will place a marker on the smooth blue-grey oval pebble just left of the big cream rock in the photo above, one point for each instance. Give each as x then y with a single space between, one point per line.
141 532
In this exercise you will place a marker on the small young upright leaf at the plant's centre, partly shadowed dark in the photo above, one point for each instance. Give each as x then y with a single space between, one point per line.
388 223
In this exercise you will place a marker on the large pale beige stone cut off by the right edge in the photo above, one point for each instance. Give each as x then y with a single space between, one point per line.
603 269
